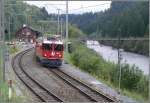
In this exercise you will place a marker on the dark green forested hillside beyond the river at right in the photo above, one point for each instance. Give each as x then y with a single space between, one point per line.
130 17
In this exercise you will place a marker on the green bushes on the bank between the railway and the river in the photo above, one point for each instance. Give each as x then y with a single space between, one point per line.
133 82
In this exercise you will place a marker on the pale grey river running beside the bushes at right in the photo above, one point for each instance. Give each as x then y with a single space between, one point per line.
111 54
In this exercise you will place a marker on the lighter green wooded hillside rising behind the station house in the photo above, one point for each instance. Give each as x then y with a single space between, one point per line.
21 13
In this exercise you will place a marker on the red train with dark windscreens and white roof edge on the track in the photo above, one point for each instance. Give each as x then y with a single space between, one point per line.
49 51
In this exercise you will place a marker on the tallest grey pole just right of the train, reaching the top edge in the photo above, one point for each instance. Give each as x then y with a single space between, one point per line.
66 25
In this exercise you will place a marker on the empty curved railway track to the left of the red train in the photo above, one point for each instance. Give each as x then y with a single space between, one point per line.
41 92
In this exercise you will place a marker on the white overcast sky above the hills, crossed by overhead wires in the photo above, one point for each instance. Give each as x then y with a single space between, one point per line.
74 6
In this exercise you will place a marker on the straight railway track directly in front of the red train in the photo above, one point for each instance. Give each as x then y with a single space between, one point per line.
83 88
